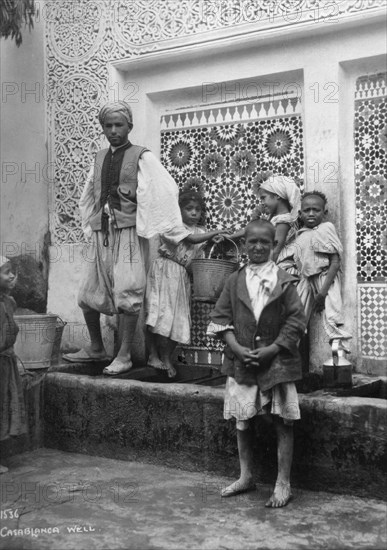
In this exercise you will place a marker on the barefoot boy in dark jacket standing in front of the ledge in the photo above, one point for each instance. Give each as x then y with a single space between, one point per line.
260 317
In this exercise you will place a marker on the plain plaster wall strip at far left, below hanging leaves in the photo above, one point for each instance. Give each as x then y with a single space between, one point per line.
25 174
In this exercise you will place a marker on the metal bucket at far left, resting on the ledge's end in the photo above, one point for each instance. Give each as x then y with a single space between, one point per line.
35 340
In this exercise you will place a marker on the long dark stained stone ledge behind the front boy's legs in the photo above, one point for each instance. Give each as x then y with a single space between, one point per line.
340 442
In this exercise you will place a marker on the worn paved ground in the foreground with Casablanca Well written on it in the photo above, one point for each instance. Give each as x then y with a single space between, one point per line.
68 501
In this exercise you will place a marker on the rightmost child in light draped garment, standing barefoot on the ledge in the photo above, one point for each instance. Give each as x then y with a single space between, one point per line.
317 253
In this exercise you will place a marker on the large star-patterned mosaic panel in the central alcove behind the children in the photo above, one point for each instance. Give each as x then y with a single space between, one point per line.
223 163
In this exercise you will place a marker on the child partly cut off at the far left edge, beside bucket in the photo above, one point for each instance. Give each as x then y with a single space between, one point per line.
12 419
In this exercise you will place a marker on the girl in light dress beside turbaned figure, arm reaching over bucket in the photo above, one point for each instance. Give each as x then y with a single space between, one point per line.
167 302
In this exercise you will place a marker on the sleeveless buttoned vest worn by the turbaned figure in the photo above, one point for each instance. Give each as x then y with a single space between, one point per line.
116 182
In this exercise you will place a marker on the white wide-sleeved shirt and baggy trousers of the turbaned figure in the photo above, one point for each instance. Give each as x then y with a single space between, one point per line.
115 275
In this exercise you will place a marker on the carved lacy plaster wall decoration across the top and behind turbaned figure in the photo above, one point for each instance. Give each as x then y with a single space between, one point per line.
84 36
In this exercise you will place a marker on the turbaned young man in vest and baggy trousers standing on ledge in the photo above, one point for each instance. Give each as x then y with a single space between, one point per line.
128 198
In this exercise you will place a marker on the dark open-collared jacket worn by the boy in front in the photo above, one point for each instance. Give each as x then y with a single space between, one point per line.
282 322
